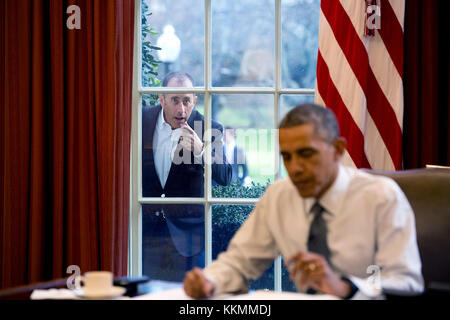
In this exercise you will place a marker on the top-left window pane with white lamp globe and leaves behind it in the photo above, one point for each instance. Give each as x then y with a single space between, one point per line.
181 34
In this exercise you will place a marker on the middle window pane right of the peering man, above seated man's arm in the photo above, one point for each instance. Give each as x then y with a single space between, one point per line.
249 142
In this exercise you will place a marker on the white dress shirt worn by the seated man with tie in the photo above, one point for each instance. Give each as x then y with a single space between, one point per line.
370 226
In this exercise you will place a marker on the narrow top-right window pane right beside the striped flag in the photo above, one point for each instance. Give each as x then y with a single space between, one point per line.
300 42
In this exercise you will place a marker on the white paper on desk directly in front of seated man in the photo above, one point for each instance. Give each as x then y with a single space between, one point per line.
275 295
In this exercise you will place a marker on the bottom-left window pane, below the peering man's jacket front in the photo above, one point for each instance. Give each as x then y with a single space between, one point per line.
173 239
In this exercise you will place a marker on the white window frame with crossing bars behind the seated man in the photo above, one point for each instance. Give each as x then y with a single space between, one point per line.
136 199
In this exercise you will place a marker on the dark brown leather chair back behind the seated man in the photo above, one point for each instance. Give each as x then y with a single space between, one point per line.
428 191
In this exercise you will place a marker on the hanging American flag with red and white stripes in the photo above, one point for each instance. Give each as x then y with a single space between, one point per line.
360 77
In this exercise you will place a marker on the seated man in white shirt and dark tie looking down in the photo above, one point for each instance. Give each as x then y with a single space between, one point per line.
333 224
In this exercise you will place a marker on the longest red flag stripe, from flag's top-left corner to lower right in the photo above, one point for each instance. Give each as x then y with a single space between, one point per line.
355 52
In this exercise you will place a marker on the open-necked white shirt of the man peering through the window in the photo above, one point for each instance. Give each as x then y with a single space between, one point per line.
165 141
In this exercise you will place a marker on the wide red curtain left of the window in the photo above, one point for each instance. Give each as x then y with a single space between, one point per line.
65 138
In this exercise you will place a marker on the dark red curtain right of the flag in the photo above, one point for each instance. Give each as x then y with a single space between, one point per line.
426 133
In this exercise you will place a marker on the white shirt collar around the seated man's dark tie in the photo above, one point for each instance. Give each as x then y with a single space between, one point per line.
332 199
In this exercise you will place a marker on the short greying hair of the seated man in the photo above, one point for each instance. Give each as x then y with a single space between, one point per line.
323 119
